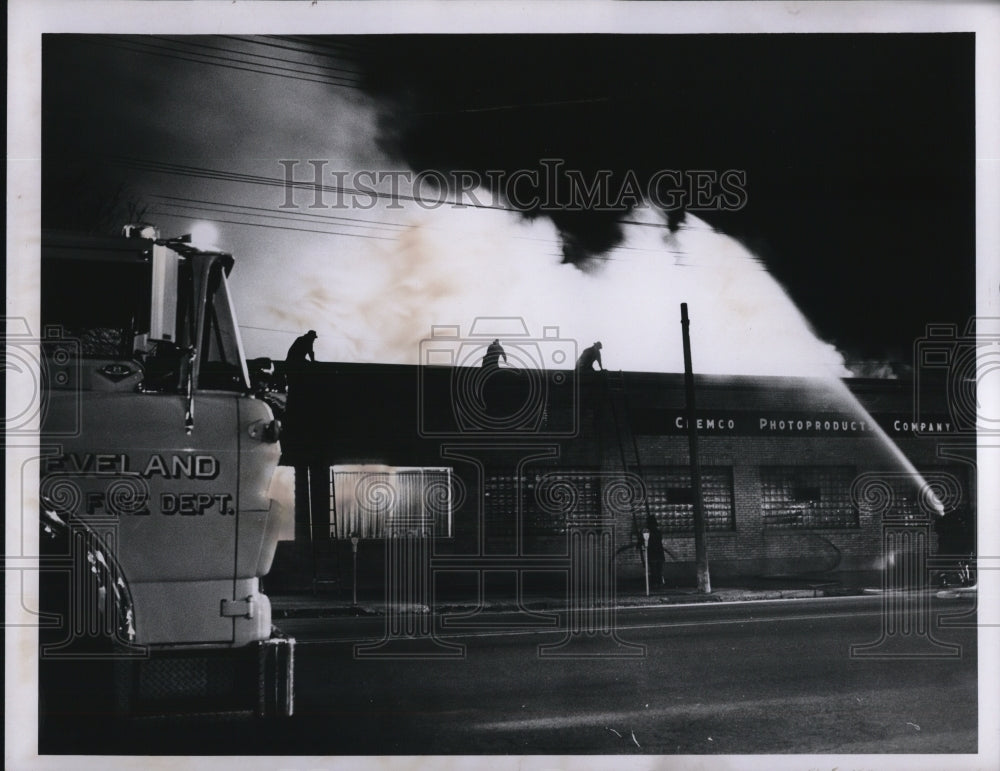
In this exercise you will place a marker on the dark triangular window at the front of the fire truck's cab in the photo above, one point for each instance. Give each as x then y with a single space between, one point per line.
223 365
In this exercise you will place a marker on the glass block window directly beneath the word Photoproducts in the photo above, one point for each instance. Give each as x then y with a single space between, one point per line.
808 496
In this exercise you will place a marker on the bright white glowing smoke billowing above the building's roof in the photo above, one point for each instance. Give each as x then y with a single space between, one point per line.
376 300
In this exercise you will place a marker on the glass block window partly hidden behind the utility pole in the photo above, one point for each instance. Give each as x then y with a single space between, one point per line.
671 498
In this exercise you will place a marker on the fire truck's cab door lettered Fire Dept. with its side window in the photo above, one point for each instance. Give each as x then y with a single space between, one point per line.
144 438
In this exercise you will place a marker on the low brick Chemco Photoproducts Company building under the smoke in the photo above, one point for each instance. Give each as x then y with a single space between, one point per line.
798 475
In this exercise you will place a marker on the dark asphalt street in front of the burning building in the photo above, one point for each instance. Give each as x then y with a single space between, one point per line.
871 673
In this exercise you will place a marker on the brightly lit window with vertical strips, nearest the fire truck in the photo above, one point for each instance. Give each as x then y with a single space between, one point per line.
373 501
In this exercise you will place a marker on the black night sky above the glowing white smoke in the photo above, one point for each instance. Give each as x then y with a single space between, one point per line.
858 149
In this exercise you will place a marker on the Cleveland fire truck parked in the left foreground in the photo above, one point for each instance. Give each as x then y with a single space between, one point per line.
161 498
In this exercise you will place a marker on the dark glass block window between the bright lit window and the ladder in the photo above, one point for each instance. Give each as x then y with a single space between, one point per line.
546 497
